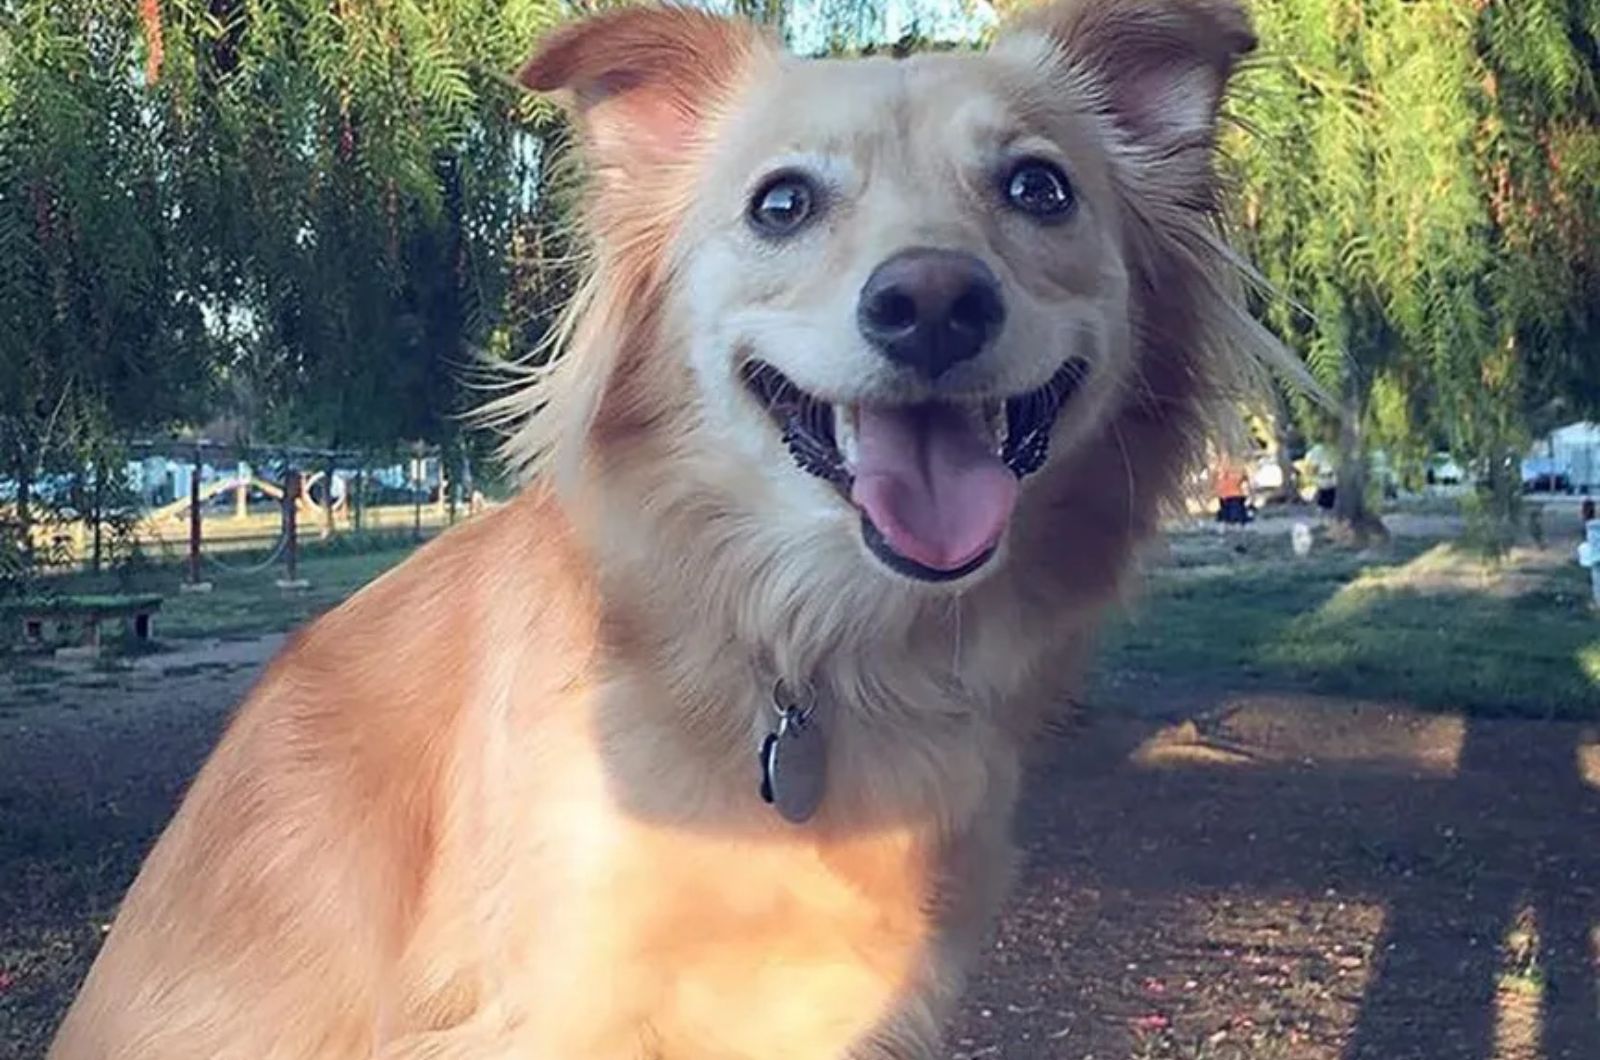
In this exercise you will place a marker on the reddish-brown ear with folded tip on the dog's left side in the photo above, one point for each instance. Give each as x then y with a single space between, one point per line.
642 81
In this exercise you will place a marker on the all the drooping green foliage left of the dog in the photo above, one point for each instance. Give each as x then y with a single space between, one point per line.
308 217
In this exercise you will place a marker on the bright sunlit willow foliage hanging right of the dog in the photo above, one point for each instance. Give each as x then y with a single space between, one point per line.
1414 188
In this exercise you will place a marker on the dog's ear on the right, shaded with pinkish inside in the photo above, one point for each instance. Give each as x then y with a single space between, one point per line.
1162 65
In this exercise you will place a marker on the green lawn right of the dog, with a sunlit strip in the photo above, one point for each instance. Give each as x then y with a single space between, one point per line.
1422 622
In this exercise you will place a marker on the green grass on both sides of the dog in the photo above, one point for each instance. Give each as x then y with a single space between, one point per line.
1418 620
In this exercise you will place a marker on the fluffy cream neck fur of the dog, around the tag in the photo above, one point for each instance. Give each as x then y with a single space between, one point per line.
918 696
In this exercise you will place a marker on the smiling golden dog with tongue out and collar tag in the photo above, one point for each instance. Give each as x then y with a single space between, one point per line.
708 745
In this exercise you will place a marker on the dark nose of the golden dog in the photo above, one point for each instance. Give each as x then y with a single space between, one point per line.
930 310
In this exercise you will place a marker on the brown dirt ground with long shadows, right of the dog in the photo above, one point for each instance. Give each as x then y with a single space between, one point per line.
1337 893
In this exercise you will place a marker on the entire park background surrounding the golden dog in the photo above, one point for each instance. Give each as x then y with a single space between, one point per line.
258 259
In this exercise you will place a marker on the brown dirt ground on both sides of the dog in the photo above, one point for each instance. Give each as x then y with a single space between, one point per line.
1220 878
